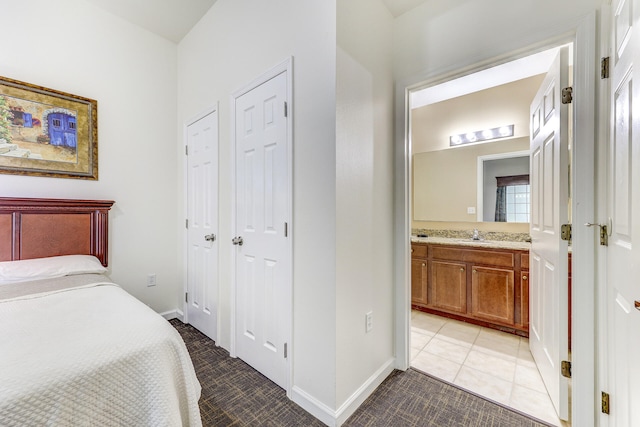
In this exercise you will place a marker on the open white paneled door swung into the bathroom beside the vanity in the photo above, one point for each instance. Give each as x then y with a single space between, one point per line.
548 312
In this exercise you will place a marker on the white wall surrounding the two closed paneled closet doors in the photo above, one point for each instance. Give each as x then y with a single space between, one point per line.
234 43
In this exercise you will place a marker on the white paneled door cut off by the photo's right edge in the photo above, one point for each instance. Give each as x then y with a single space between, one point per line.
623 252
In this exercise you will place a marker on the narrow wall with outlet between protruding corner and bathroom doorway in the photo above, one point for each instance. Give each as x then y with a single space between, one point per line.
364 180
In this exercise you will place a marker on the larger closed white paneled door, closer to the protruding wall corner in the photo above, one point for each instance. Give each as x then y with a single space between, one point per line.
263 260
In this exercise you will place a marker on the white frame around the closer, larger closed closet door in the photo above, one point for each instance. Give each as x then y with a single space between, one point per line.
285 66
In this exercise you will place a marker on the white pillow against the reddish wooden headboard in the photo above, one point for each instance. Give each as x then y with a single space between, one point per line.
48 268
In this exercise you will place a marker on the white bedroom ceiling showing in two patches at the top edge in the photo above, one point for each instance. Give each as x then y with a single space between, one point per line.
173 19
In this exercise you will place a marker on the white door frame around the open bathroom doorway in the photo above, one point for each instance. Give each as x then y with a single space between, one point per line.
583 34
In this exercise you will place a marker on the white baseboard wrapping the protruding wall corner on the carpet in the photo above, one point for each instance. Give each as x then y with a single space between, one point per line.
336 418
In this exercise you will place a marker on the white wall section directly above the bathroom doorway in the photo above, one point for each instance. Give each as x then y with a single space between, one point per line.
445 35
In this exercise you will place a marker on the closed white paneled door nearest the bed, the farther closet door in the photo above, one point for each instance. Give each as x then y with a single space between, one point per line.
202 224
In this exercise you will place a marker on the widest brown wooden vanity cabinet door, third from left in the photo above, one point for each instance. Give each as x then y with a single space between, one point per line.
492 294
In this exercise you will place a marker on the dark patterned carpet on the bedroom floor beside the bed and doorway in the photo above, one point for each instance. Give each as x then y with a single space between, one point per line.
234 394
